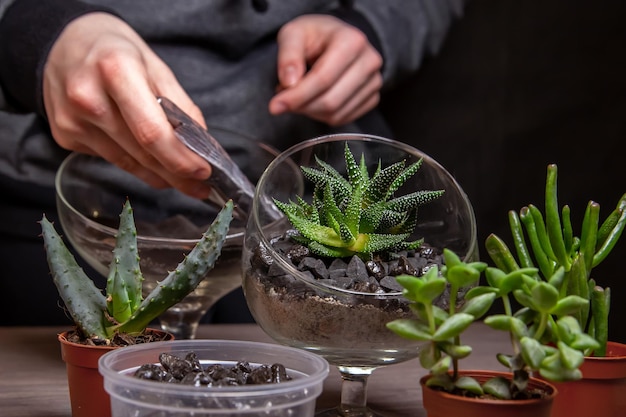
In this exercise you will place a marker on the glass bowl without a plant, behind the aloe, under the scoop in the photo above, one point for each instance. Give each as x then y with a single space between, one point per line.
90 193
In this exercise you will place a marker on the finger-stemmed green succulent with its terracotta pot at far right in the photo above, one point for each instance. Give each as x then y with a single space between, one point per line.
554 245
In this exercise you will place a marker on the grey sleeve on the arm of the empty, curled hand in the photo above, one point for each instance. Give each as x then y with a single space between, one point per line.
407 30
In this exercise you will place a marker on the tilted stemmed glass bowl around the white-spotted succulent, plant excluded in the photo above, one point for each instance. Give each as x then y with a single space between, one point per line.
346 327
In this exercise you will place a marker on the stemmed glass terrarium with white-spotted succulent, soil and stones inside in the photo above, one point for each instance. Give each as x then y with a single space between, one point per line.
321 277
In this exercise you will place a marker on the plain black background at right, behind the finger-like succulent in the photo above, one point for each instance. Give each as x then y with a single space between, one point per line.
519 85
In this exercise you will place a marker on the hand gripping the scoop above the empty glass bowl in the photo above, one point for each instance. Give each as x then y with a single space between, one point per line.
99 87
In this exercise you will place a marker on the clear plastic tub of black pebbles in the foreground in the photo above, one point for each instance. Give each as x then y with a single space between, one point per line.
135 397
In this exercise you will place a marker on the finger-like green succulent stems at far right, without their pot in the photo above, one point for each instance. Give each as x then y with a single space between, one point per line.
554 246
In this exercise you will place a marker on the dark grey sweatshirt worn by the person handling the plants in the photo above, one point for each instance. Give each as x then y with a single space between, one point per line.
223 52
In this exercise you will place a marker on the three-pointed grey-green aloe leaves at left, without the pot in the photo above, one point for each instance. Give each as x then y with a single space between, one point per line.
122 309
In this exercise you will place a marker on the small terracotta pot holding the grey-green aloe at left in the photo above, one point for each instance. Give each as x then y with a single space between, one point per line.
87 395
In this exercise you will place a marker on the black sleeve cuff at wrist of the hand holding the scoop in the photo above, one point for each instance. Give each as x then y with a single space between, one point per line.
28 29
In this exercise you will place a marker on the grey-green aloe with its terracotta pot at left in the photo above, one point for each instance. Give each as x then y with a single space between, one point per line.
120 316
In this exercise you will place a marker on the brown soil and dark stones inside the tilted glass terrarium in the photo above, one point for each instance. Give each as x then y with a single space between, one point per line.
299 311
